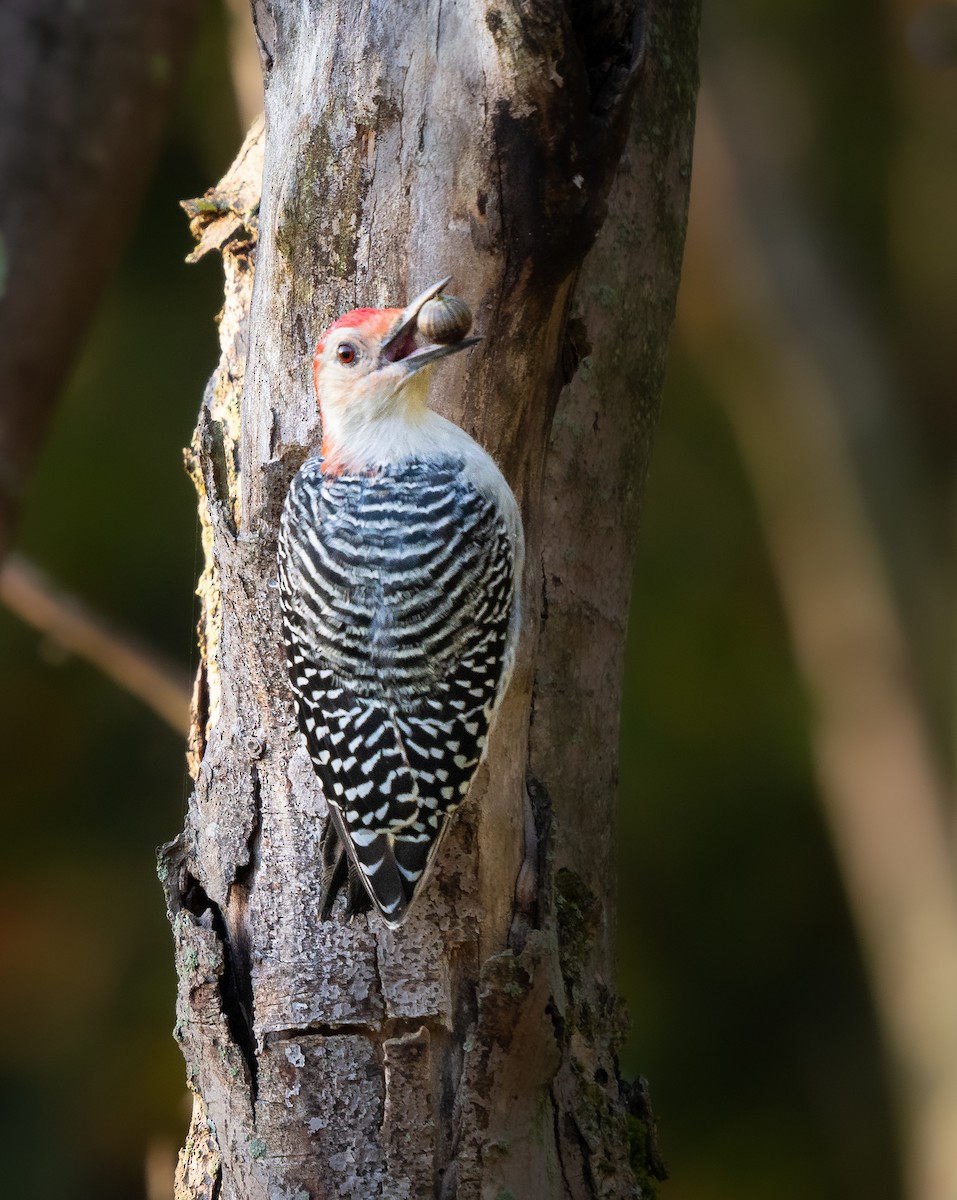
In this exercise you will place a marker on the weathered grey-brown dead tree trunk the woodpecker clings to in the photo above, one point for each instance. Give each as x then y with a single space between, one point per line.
472 1053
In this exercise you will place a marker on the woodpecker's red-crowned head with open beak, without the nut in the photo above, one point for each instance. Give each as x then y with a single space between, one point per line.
370 380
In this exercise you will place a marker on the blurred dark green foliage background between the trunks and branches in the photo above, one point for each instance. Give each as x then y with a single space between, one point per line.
750 1010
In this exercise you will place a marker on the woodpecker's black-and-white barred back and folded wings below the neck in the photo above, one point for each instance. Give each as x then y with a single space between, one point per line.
398 596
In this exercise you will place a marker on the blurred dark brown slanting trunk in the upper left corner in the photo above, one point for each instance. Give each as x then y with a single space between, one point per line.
85 94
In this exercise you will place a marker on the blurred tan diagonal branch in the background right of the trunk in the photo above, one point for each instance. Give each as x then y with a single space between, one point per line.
880 779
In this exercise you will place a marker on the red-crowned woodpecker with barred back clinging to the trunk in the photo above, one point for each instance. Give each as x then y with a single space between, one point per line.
401 553
